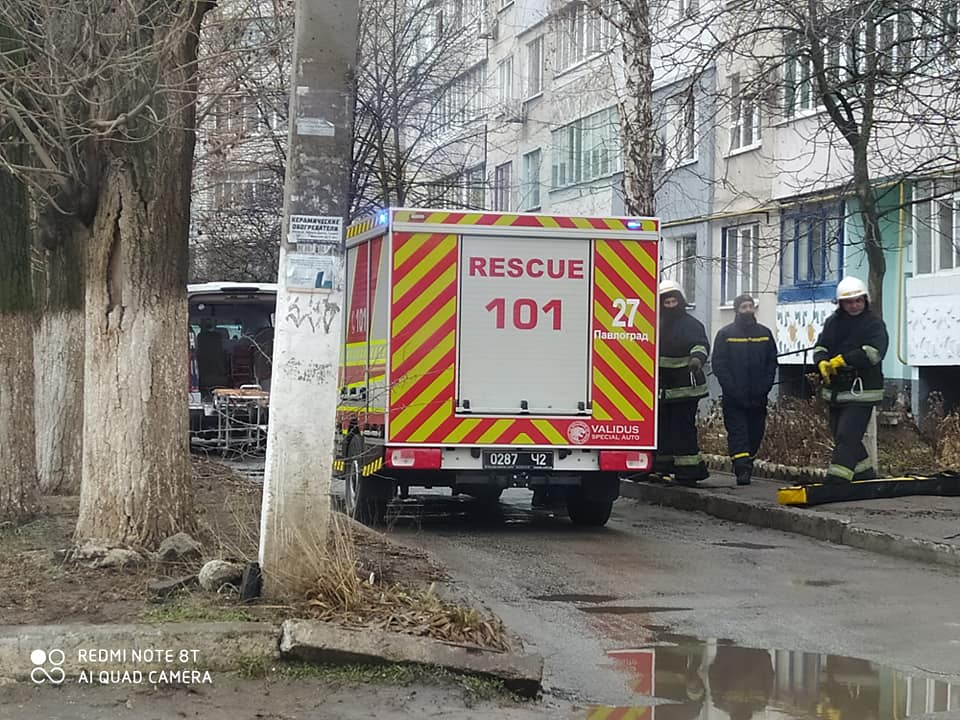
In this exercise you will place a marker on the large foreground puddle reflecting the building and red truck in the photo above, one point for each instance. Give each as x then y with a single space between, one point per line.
685 678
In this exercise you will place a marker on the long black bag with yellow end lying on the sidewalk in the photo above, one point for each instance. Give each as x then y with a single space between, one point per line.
945 483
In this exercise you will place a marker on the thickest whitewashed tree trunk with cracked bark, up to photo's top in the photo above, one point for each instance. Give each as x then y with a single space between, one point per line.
136 486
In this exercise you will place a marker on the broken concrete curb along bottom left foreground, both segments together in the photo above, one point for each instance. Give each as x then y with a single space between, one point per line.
192 649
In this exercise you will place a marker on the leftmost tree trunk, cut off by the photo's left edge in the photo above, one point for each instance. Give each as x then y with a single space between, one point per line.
19 494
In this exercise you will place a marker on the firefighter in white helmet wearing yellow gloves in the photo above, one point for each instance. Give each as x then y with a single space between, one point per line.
848 354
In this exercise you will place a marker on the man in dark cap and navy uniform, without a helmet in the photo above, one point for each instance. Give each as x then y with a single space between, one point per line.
745 363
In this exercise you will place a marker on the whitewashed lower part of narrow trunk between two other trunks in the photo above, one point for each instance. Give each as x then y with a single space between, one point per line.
58 400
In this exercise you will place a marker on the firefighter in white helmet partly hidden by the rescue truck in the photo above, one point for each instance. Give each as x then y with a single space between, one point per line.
683 353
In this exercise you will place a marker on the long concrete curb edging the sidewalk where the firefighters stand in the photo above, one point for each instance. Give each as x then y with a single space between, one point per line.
818 525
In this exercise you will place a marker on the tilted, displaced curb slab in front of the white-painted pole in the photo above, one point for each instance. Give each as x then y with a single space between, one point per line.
313 640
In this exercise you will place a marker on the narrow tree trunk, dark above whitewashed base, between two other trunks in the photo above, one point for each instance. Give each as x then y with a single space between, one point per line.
58 356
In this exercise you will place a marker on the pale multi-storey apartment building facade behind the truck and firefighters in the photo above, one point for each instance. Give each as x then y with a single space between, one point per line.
754 184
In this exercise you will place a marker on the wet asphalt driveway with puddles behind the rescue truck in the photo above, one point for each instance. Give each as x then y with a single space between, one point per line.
696 597
